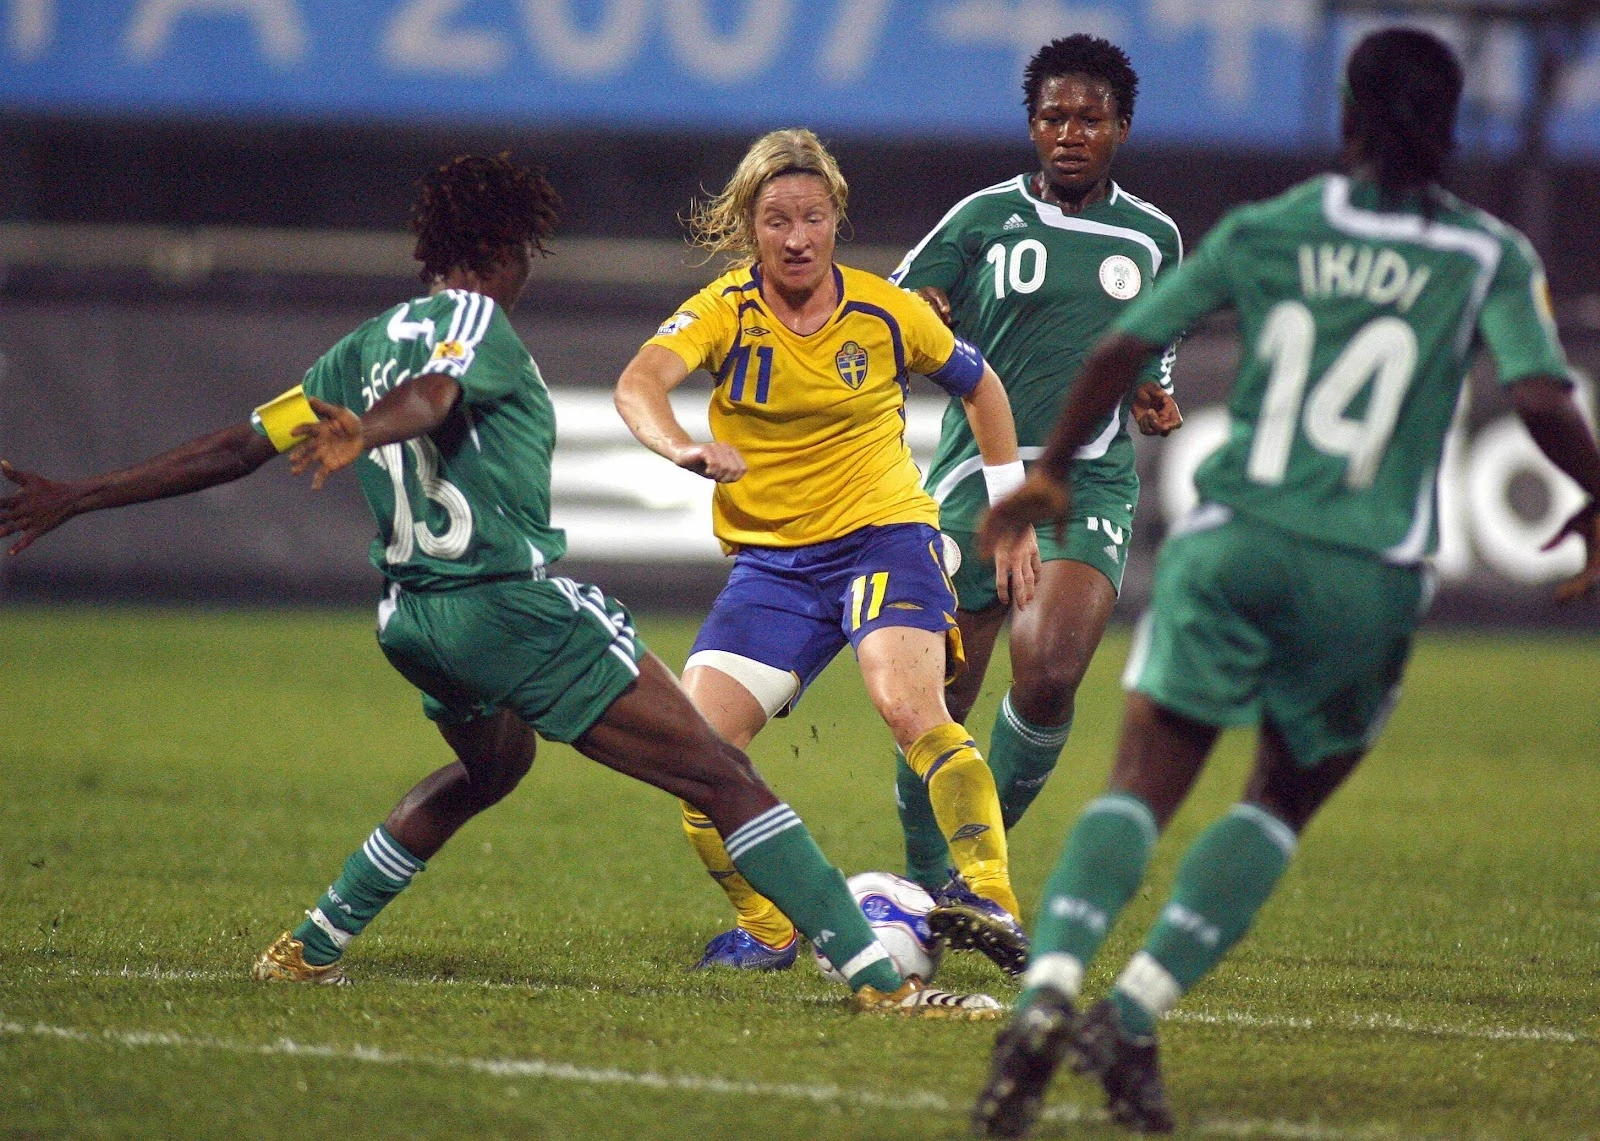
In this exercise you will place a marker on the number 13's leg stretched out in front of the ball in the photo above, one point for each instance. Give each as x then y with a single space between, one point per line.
654 734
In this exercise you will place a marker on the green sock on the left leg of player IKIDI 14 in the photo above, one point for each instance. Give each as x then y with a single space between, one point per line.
1098 873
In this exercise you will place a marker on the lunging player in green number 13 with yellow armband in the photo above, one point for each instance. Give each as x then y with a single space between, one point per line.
454 454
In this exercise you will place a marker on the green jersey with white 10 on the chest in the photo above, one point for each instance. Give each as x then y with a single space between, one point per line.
1034 287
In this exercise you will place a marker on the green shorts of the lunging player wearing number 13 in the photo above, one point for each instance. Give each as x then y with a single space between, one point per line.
554 652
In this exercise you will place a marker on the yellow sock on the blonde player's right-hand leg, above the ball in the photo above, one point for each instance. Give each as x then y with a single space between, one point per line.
967 806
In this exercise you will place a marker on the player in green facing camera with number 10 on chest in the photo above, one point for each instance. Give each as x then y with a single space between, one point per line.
1033 271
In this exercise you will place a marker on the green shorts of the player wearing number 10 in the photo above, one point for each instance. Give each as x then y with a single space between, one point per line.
1098 532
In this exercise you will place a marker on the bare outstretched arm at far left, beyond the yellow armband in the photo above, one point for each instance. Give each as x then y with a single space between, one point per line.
41 505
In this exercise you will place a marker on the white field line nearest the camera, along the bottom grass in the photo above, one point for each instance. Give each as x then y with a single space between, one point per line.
551 1071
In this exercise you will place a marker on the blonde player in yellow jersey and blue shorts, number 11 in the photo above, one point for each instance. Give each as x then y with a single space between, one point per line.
818 495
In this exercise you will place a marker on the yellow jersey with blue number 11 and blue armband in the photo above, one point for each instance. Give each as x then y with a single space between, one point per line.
822 418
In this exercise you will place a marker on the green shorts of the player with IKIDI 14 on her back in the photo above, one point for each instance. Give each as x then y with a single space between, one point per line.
1252 623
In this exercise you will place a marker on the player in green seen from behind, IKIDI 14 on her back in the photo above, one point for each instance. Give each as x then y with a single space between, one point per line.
1290 598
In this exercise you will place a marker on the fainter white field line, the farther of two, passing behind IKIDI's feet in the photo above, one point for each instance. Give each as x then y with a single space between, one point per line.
1199 1017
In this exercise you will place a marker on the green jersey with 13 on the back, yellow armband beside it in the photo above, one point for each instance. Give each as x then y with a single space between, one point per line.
473 498
